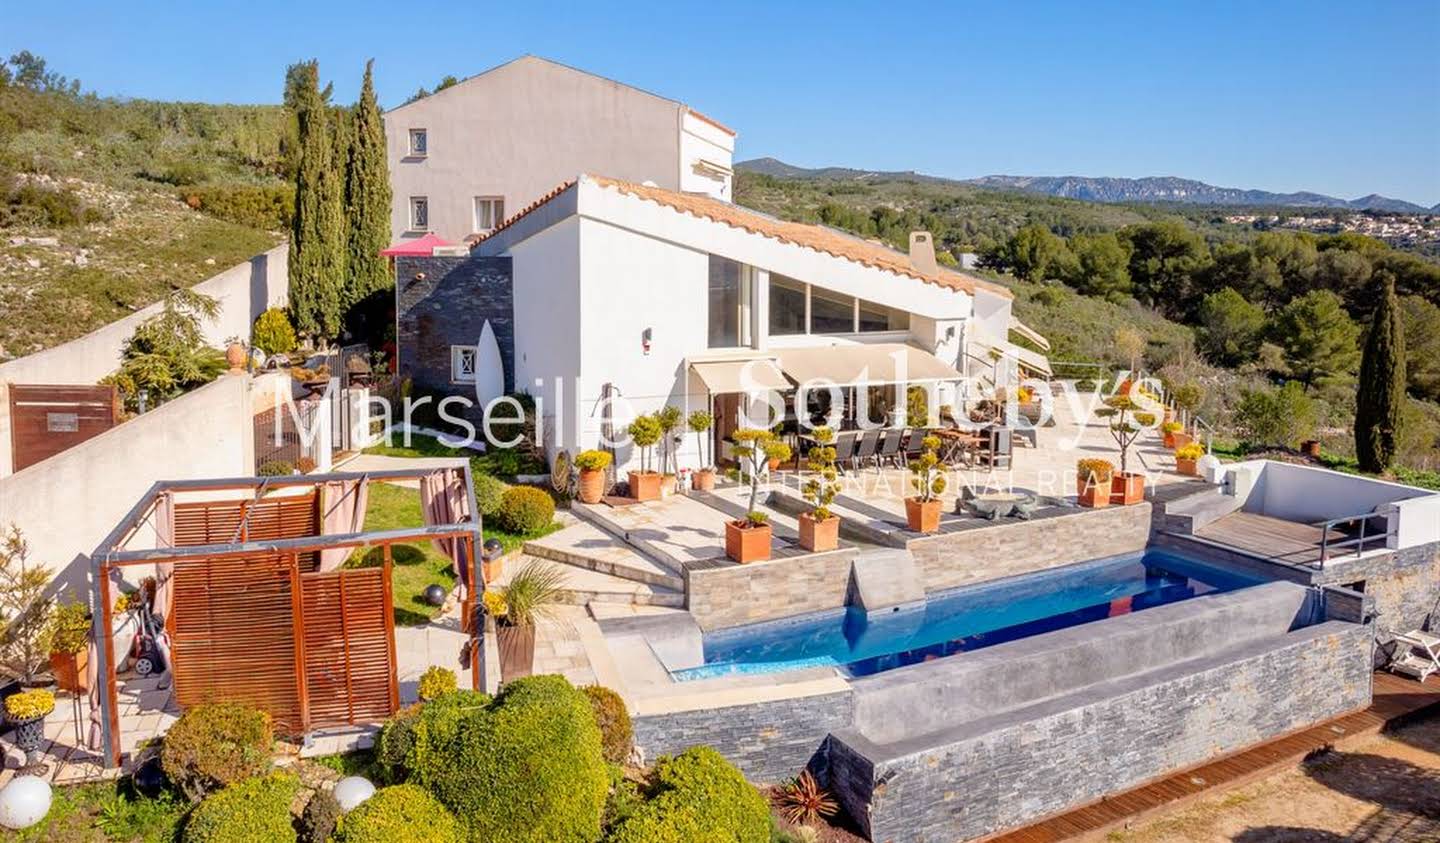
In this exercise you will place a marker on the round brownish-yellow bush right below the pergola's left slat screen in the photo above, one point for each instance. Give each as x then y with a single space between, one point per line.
214 746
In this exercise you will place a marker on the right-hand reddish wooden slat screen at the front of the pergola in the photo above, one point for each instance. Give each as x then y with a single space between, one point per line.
349 655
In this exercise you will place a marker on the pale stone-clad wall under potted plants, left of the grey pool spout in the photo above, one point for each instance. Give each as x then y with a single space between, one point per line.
764 592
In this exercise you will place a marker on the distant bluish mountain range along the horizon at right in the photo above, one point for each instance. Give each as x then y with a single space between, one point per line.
1105 189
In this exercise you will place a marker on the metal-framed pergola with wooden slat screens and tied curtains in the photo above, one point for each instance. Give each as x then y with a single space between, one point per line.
238 558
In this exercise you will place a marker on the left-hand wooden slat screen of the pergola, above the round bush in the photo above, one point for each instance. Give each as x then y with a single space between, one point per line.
234 638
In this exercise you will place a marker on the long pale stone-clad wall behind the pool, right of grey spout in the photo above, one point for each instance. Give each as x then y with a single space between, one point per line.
1009 550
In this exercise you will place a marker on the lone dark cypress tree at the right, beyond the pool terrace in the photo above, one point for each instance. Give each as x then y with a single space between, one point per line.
1382 394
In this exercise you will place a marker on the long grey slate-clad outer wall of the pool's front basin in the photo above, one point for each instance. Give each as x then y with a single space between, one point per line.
984 783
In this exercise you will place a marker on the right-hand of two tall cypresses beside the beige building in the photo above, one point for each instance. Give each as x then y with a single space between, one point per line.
368 198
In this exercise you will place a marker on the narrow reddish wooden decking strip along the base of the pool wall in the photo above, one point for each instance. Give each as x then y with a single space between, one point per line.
1396 701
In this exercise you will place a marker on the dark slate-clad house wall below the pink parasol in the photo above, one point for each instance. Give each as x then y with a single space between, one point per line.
450 308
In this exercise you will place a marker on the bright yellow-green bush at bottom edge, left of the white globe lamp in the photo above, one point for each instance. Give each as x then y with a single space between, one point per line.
256 811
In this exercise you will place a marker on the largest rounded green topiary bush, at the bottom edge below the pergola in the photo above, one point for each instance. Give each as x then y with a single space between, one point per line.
523 769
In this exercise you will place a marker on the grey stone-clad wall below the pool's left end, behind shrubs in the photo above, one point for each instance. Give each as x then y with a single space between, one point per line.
768 741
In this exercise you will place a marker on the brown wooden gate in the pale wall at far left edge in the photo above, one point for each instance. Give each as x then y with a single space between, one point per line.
48 420
